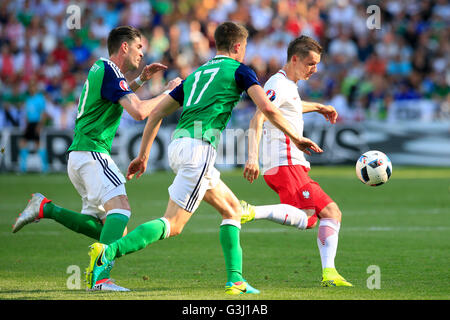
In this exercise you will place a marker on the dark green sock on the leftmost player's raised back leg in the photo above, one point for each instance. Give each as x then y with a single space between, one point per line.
81 223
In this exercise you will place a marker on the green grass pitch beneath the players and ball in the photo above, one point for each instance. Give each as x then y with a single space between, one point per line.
402 228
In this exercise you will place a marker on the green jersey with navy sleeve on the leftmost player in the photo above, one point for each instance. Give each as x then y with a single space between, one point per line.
99 111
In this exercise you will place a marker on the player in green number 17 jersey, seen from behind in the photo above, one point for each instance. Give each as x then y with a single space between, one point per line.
208 97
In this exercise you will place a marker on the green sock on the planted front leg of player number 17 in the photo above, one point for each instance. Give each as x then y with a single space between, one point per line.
232 251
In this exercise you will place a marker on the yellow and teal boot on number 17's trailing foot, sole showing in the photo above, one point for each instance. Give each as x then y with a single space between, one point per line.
98 264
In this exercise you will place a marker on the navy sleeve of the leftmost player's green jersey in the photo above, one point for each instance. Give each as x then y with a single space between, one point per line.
114 85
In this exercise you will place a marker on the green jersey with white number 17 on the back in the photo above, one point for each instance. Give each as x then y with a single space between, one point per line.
208 97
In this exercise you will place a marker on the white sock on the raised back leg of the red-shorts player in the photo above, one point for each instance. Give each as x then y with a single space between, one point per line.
282 214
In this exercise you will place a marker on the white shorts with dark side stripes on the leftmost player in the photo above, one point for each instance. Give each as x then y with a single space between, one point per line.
96 178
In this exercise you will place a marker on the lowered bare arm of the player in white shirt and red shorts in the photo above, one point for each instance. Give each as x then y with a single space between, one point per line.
251 170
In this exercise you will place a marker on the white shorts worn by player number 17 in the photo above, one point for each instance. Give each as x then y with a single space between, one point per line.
192 160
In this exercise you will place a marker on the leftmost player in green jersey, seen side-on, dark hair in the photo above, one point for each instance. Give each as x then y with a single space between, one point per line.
105 208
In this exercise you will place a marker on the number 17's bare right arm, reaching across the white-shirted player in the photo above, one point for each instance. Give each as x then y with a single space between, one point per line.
257 94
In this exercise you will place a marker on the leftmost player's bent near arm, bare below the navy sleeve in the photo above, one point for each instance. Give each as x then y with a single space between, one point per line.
140 109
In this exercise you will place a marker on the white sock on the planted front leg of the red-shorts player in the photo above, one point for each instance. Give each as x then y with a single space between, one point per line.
327 240
